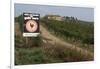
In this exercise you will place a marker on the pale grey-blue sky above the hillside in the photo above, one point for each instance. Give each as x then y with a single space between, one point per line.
81 13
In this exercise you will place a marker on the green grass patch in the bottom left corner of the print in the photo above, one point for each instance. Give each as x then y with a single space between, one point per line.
29 56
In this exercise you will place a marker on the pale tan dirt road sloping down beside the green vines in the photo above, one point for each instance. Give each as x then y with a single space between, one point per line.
48 37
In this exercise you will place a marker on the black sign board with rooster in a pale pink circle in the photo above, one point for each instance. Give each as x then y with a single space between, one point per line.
31 24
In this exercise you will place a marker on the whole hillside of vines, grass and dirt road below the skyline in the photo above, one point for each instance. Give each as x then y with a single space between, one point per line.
59 41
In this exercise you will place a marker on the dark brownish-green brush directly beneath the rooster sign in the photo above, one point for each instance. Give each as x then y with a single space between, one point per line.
22 42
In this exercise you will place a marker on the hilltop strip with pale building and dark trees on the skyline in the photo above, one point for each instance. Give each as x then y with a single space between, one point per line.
65 18
